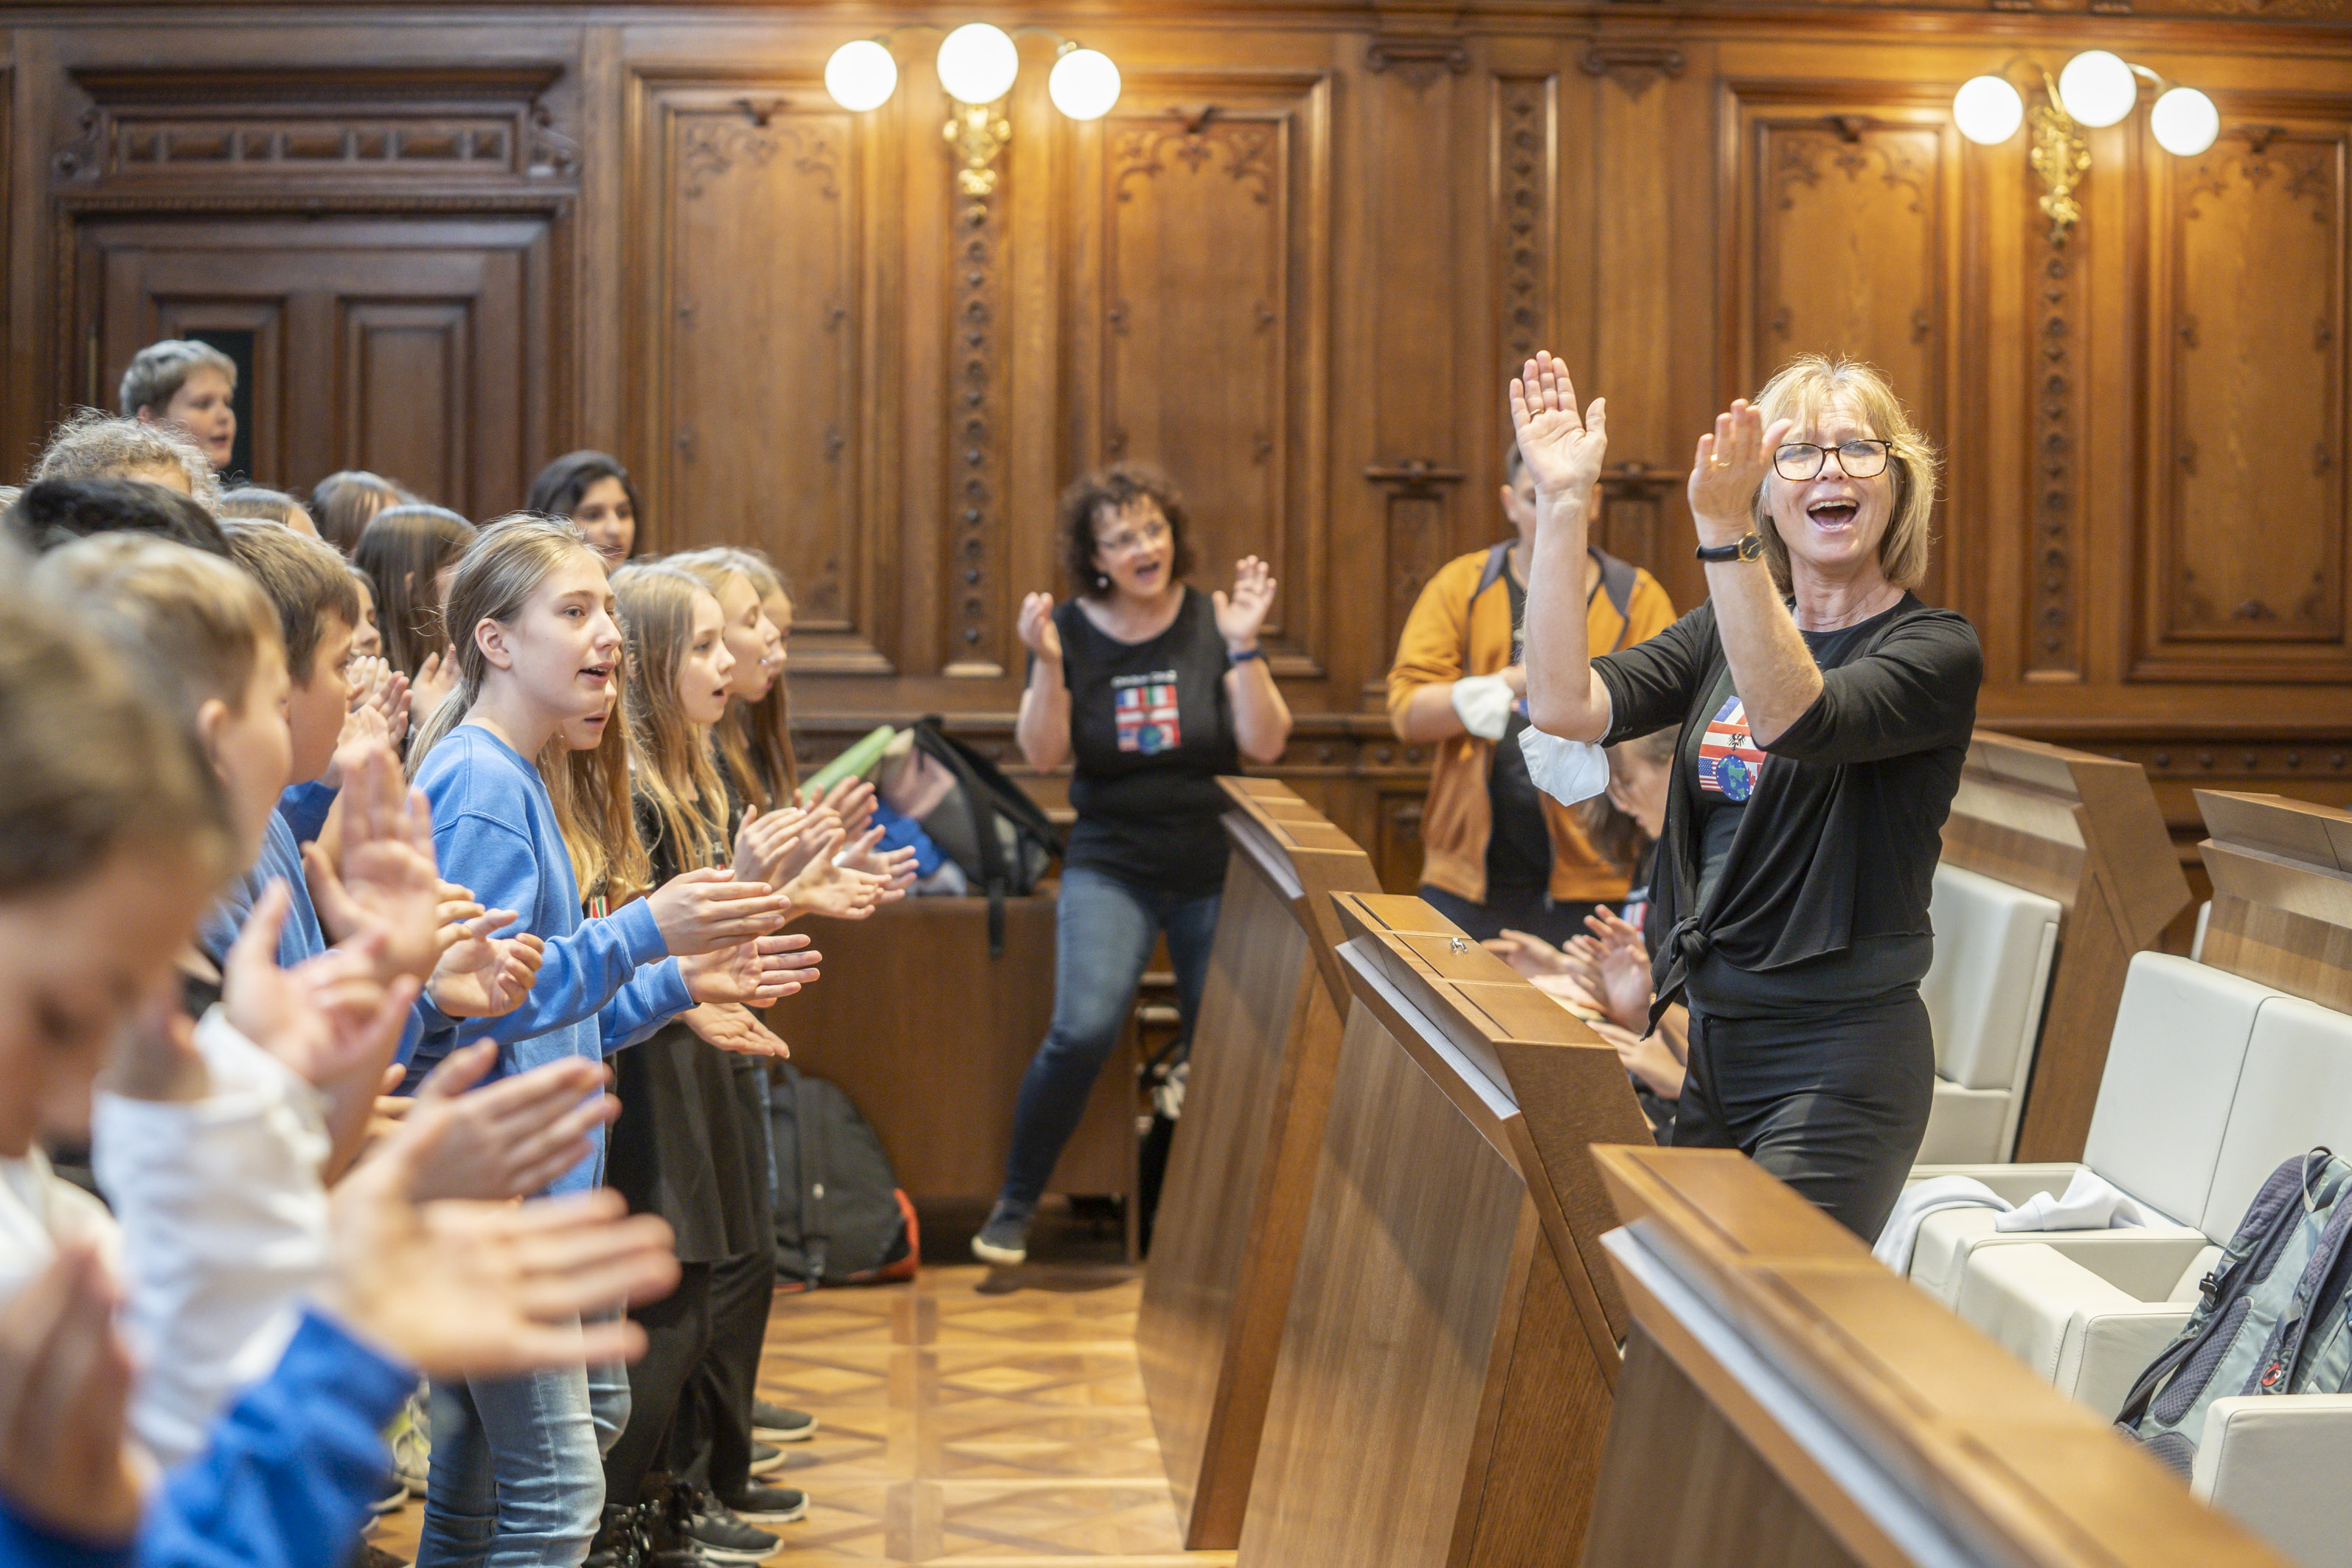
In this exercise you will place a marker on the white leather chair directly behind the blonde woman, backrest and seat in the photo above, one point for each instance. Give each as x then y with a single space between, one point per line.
1984 1000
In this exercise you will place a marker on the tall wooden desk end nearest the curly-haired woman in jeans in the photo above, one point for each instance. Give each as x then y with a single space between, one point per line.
1243 1165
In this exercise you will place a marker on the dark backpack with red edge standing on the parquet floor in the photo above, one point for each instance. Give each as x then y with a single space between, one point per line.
841 1217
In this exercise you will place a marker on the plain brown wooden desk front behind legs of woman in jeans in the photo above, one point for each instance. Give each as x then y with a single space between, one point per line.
930 1038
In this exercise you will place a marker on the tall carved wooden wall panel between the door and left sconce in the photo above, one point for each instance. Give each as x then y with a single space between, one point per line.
759 314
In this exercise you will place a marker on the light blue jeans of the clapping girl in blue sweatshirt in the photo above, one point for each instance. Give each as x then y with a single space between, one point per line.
519 1477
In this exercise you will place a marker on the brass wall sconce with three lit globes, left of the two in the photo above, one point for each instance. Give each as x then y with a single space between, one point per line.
977 67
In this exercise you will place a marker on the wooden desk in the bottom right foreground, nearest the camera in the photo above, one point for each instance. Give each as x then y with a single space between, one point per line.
1789 1400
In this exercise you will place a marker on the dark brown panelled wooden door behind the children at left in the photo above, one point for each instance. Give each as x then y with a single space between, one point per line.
417 349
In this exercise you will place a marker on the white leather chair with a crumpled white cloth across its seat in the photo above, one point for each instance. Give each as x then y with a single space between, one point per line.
2158 1127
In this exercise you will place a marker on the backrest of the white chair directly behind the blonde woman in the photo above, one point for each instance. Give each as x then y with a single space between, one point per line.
1991 974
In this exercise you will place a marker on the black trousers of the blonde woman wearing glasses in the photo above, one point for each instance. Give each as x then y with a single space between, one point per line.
1833 1106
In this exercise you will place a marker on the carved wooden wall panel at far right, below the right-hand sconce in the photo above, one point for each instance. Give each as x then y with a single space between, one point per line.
2245 554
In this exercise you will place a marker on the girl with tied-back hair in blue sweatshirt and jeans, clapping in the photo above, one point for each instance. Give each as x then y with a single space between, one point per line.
516 1470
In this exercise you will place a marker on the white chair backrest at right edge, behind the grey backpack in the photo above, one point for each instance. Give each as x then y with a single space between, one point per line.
2294 1094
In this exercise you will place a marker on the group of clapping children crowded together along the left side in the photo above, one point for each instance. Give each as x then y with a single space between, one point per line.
340 885
